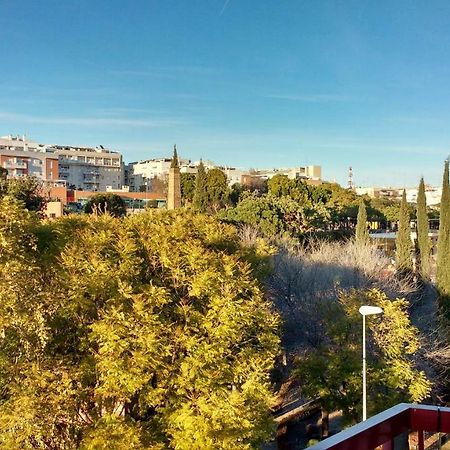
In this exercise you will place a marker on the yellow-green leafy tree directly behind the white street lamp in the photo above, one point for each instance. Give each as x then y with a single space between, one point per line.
333 372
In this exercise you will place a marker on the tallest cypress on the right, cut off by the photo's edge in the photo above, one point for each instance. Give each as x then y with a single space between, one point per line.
443 247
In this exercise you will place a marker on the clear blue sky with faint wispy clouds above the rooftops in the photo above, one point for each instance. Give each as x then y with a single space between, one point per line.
251 83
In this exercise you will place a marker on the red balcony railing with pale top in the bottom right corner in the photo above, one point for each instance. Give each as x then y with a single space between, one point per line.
386 429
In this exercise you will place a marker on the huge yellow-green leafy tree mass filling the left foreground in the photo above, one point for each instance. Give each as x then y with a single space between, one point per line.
148 332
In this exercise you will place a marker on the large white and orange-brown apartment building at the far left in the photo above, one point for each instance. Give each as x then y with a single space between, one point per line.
86 168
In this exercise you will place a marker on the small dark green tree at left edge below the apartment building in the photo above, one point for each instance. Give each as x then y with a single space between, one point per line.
27 189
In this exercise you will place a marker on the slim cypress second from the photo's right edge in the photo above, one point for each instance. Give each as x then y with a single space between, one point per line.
423 240
